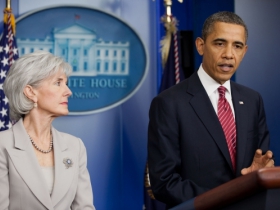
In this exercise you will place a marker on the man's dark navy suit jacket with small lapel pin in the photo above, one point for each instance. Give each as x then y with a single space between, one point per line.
187 149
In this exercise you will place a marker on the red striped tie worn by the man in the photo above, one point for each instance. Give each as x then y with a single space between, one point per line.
228 123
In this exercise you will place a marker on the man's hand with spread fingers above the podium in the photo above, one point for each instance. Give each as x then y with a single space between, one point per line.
259 161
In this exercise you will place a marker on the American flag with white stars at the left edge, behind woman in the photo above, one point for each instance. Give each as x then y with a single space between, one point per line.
8 53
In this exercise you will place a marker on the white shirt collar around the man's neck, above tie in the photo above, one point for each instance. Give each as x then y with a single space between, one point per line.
209 84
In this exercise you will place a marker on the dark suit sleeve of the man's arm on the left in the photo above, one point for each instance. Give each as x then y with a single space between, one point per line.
164 155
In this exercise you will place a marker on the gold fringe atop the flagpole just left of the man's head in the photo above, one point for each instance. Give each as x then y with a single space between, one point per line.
165 42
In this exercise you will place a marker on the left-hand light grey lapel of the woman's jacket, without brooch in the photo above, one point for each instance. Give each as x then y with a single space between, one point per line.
25 162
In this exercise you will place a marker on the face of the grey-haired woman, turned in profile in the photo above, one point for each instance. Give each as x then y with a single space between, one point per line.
52 95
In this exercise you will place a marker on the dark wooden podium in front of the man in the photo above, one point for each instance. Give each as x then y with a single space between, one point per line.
259 190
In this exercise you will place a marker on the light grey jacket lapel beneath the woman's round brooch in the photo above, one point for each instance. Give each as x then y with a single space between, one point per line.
63 175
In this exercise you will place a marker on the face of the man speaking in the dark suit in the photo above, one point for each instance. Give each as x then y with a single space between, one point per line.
223 50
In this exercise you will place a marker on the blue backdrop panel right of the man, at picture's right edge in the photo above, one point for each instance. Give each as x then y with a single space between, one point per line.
260 67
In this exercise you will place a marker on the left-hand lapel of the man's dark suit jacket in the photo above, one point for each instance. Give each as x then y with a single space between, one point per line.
205 111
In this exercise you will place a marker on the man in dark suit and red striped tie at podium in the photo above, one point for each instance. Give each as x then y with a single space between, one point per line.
189 149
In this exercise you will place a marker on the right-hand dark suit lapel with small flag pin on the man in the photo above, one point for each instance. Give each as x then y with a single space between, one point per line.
241 126
